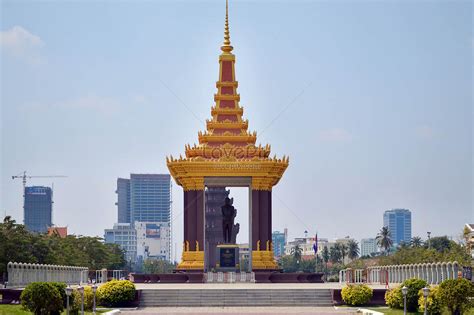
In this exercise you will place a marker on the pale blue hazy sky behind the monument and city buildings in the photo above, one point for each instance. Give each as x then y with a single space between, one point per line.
372 101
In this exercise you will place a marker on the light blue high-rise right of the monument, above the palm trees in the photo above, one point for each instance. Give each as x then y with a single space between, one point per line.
398 222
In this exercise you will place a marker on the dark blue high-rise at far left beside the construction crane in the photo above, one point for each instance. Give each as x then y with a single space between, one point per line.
38 208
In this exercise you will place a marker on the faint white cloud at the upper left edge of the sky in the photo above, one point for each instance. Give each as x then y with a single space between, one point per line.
20 43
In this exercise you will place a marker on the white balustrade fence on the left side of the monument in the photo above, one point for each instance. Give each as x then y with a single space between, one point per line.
21 274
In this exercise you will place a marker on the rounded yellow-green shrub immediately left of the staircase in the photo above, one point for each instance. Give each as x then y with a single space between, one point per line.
116 293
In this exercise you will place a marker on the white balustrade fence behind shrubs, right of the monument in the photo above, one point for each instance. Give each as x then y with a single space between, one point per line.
433 273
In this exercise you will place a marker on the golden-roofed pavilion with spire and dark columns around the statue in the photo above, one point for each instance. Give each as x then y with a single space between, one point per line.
226 156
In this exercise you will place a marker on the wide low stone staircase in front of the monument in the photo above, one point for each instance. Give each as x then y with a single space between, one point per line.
235 297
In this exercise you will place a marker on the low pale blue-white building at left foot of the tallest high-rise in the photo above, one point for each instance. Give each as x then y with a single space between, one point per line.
124 235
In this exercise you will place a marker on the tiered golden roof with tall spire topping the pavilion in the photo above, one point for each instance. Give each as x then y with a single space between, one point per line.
227 148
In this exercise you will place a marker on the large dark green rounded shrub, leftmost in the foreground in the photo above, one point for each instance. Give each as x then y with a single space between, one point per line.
42 298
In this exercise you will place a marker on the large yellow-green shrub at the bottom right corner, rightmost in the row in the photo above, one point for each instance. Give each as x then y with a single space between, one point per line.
457 295
